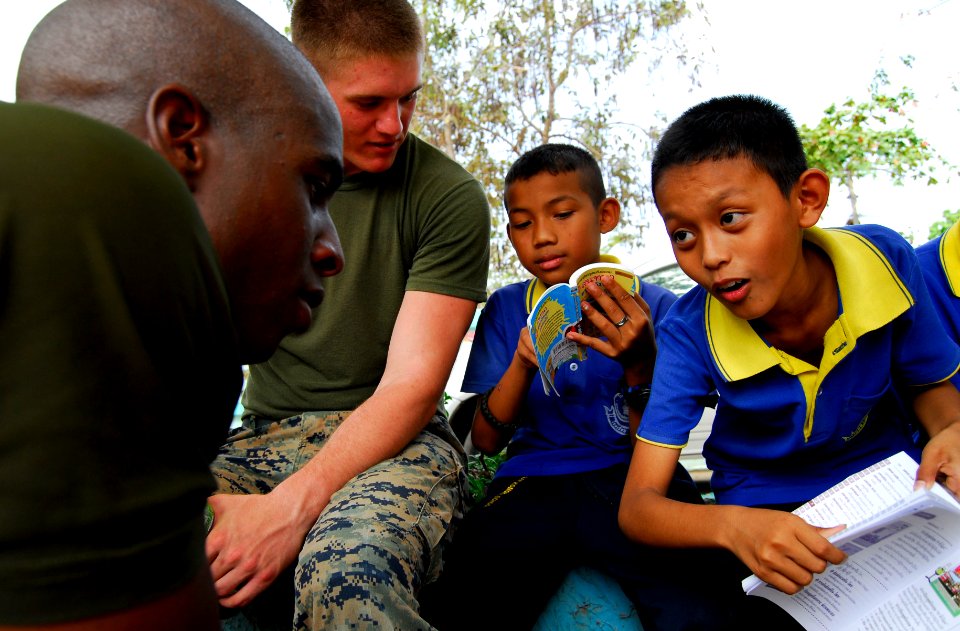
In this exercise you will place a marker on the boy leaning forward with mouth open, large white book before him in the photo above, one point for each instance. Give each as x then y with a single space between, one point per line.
803 333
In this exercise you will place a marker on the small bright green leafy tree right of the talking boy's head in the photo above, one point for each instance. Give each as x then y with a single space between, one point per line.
854 140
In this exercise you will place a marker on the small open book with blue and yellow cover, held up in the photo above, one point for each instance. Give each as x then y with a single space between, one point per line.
558 311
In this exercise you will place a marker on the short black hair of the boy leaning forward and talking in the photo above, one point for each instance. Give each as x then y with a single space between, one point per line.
730 127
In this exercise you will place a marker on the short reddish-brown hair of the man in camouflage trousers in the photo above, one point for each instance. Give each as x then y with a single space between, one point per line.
332 30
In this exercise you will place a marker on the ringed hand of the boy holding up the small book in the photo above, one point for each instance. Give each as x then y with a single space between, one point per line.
625 324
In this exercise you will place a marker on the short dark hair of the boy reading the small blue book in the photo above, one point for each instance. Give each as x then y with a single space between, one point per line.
556 158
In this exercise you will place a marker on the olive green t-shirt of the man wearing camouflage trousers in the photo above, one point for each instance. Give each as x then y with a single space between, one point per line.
422 225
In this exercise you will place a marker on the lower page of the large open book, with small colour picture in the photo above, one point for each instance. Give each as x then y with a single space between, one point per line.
899 574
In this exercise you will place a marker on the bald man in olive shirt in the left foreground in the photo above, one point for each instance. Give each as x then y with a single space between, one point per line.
126 314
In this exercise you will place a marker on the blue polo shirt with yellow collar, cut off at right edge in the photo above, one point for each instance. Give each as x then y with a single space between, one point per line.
940 262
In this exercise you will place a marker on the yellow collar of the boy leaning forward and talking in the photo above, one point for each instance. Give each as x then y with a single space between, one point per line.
872 295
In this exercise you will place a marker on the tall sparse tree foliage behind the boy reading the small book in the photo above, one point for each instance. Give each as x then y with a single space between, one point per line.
503 77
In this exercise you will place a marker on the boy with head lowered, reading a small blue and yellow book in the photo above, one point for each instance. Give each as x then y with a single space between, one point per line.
552 505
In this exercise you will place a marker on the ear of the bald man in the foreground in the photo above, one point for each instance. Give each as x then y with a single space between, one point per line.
176 123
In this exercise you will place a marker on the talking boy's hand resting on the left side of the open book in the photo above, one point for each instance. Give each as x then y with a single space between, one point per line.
782 549
